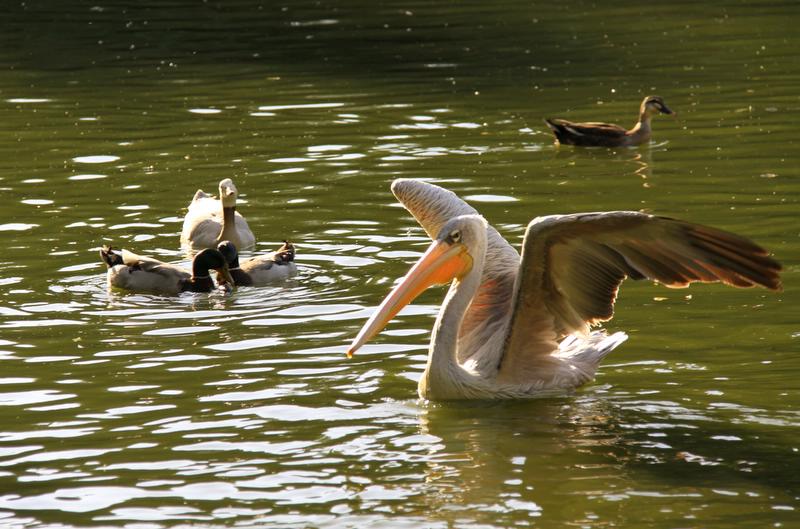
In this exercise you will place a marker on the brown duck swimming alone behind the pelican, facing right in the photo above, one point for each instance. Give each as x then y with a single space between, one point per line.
594 134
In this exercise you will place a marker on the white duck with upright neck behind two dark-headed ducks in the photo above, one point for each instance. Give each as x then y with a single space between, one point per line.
210 221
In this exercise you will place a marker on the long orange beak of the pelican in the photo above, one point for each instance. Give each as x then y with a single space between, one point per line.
440 264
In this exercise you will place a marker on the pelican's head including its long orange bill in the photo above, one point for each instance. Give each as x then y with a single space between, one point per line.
448 258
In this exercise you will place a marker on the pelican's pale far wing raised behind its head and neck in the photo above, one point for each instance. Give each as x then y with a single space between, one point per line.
432 206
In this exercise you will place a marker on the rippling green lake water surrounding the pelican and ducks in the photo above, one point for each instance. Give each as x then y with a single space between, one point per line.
216 410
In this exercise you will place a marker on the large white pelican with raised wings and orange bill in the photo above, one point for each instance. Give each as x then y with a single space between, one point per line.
517 327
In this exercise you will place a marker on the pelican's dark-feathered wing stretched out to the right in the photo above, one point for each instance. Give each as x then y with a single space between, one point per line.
572 266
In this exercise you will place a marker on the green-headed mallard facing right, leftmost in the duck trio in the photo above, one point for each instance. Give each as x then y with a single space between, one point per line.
144 274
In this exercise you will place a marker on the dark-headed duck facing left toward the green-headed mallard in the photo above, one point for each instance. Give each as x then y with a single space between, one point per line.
262 269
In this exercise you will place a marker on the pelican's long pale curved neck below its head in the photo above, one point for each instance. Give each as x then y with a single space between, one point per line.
444 378
